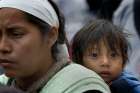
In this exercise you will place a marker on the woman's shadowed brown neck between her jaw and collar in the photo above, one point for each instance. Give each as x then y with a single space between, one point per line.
27 82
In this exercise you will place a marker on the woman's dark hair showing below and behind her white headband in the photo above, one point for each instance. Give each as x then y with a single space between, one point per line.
46 27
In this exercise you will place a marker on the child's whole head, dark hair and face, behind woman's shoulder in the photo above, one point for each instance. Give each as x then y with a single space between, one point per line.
101 47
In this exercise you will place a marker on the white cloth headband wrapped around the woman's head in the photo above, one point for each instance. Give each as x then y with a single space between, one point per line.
39 8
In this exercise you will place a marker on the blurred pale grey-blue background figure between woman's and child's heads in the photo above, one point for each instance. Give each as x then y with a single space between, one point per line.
77 14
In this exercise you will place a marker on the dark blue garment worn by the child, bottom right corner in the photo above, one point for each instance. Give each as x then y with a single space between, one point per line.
126 83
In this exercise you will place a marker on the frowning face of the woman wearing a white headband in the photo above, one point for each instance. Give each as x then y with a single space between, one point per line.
23 50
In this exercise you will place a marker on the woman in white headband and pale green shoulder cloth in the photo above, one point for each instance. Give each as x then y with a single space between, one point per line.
33 52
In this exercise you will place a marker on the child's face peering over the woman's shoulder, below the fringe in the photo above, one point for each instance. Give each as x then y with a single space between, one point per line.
105 62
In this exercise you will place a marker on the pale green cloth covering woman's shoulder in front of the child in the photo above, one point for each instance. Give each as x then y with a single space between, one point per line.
75 79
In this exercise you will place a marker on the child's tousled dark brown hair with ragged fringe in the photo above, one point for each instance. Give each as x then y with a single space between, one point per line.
95 32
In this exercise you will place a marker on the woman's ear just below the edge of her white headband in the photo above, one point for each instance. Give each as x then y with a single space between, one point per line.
52 36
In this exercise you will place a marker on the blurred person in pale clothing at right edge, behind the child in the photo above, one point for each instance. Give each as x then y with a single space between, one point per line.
127 16
